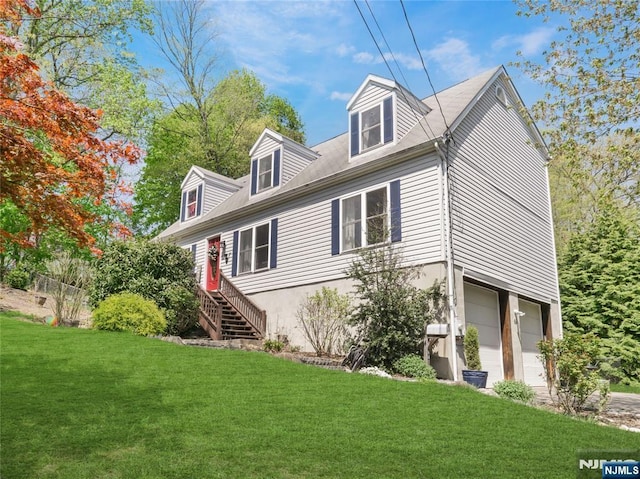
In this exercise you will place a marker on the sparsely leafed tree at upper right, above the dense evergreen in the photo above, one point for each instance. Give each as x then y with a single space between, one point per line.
591 106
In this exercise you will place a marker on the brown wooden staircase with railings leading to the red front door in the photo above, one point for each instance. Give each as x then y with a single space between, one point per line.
228 314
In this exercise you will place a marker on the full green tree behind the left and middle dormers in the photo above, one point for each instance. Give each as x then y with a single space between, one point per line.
239 110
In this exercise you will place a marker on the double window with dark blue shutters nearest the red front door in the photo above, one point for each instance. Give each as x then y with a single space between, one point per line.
255 248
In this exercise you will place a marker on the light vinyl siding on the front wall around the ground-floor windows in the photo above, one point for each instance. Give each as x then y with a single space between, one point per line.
304 228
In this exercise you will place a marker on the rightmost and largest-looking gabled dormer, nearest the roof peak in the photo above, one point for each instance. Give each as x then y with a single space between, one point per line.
381 112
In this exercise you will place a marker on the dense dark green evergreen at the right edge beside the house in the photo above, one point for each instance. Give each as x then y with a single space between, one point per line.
600 288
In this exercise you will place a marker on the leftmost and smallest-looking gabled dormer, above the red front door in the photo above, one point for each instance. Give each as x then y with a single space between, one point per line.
203 190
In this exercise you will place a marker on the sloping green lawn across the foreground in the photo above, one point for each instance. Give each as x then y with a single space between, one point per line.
90 404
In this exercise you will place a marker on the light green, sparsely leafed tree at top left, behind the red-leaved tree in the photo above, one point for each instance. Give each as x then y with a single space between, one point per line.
81 46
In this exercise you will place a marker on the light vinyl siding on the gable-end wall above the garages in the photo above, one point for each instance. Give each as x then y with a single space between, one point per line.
501 222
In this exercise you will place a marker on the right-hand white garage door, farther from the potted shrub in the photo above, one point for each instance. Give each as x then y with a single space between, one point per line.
530 334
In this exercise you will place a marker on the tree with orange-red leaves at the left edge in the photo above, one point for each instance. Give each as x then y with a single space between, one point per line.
53 166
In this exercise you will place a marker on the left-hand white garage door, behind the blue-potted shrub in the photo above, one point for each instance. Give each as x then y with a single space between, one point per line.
481 309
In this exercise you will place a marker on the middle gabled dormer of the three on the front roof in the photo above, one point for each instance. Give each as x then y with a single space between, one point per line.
275 159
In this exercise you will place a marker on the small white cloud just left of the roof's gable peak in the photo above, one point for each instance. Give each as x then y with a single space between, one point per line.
455 58
